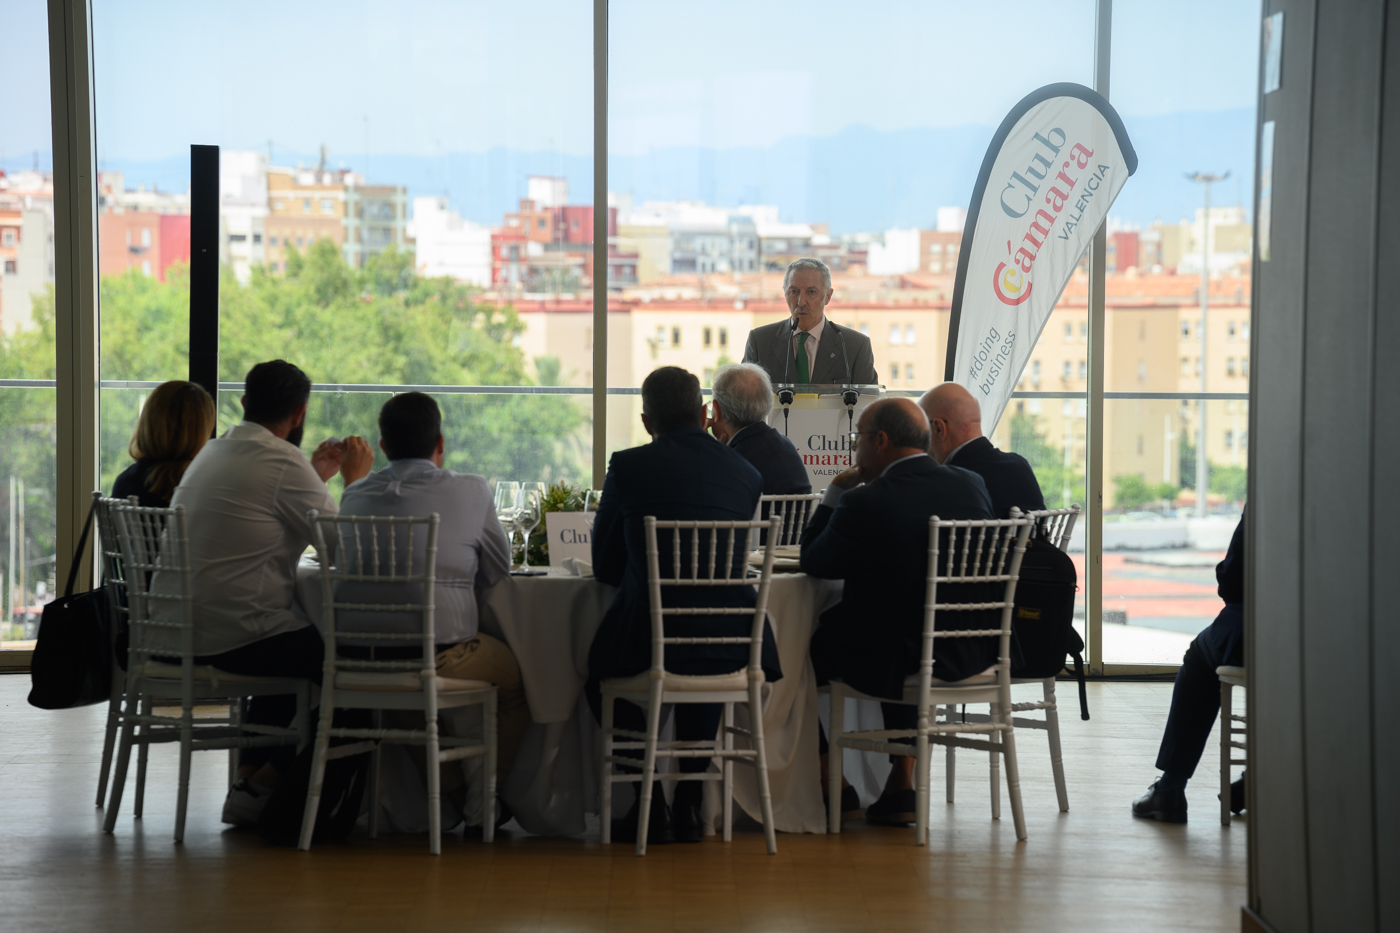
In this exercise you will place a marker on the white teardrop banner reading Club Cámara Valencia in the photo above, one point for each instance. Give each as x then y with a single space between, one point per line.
1048 181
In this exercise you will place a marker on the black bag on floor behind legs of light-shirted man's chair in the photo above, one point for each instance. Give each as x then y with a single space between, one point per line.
342 792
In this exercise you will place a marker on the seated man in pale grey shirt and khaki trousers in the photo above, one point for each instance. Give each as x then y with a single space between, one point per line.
472 555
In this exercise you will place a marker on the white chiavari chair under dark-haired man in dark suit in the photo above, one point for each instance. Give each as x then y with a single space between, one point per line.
712 565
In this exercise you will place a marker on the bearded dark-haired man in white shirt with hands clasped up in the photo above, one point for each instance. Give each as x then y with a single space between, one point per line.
246 498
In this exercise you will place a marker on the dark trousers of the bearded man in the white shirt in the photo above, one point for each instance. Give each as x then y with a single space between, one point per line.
296 655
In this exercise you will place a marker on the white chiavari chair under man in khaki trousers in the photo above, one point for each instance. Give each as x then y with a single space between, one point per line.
377 589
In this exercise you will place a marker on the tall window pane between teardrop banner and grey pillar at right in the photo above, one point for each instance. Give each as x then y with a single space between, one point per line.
1164 371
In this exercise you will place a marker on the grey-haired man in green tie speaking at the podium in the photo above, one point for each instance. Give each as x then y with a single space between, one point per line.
807 348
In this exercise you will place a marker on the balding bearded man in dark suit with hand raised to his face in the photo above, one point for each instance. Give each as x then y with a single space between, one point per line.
871 530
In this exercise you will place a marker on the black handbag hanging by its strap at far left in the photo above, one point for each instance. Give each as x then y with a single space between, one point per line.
73 654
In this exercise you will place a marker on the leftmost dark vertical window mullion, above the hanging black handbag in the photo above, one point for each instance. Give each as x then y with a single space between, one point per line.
75 267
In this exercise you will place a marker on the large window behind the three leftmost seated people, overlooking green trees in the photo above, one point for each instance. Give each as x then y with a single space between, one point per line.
405 200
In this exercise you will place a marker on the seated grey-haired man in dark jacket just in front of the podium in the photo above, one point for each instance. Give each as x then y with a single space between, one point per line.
743 401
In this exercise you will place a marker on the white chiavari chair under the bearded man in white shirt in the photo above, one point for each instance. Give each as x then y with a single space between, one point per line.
155 555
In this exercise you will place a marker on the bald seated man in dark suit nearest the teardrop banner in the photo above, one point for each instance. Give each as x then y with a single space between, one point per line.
955 427
